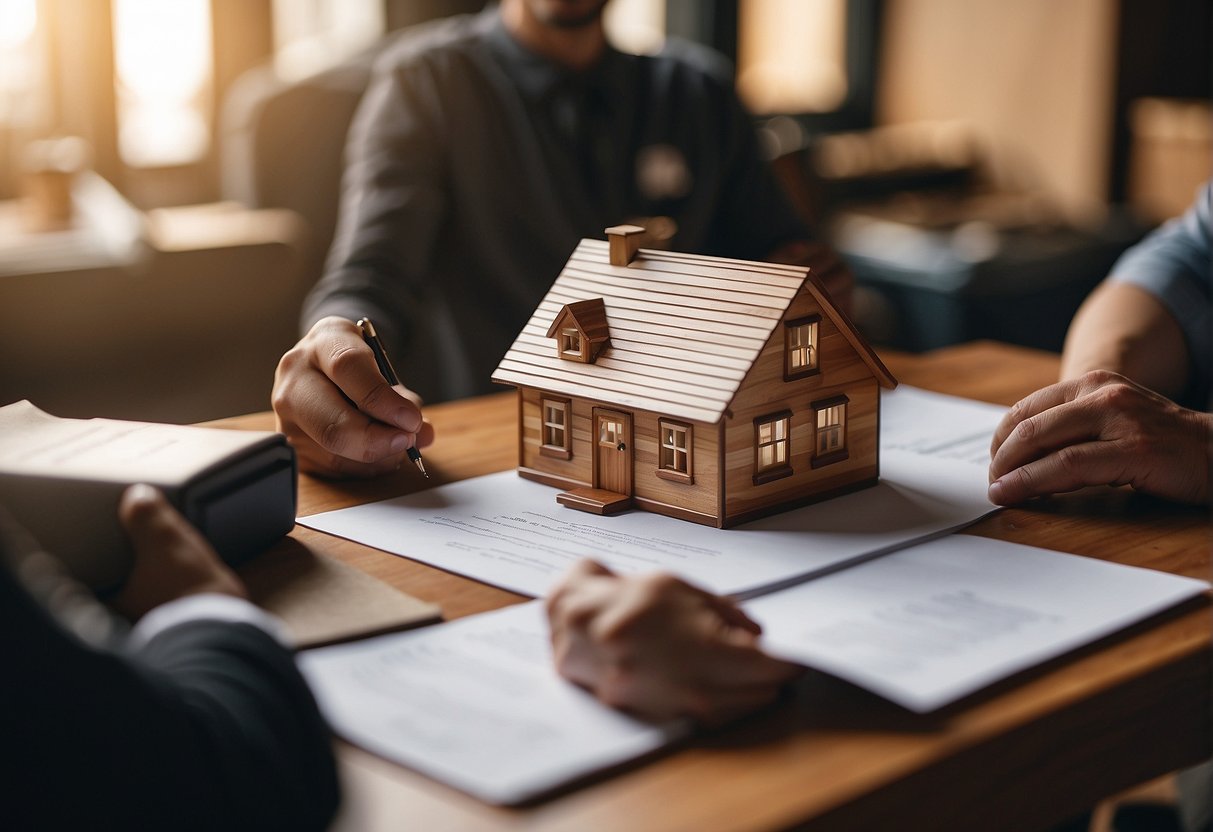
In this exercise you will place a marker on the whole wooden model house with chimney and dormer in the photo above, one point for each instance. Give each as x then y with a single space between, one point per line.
710 390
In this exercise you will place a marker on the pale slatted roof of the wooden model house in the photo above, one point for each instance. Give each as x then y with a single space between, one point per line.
685 330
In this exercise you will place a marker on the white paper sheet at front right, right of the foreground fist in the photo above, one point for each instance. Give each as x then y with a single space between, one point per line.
938 622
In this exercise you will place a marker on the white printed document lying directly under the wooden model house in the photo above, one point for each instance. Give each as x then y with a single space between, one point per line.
511 533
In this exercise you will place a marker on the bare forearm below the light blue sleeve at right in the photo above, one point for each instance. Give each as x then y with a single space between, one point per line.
1125 329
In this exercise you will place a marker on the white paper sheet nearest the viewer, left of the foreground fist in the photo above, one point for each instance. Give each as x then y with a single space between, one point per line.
477 705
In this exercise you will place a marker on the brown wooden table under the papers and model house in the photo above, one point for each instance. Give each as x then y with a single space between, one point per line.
1022 756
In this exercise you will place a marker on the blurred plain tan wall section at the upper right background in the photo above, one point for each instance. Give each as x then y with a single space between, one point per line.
1033 78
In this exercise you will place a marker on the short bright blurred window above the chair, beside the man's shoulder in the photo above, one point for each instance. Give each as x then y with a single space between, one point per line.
312 36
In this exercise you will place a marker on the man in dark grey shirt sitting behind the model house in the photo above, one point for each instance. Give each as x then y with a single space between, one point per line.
486 149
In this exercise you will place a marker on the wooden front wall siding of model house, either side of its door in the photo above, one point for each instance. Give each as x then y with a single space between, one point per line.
701 497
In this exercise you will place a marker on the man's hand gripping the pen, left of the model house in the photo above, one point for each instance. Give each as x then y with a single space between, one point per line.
333 403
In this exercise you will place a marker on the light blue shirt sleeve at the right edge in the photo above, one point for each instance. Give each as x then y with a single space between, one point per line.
1175 264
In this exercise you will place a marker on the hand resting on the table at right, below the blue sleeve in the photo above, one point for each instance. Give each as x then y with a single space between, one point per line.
1101 430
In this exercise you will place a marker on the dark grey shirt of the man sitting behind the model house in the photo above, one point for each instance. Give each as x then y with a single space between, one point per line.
475 168
